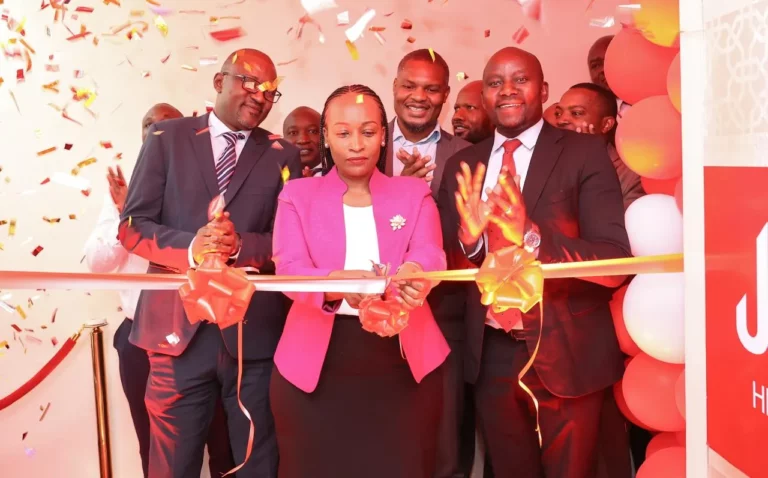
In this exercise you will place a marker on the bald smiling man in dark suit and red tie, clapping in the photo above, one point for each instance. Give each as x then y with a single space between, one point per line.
570 208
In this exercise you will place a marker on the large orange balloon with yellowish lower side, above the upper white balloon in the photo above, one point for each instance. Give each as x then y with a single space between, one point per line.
649 139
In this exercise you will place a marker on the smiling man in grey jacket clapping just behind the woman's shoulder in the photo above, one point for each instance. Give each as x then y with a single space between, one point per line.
418 146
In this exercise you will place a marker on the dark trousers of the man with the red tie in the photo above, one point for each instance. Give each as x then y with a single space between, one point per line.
570 427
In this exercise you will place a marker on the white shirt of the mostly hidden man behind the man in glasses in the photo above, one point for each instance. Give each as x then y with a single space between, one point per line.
104 253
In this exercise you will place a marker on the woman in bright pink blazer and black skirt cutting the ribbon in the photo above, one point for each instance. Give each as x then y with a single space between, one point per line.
348 403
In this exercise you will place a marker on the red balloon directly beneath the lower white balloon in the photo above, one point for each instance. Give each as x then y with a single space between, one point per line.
649 390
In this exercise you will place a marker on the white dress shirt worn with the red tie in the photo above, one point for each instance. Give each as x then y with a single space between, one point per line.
522 157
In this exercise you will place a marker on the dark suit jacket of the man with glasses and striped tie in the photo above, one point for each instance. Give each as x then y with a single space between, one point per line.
171 187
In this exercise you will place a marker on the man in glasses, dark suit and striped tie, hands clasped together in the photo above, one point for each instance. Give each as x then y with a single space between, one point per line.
183 165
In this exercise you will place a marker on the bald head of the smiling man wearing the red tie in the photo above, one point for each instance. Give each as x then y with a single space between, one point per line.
514 90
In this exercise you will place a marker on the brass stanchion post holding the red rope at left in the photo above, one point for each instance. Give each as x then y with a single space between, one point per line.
100 395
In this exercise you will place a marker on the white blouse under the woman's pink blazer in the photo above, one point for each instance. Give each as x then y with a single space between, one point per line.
362 246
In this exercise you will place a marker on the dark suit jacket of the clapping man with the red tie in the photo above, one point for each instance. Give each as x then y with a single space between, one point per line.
573 194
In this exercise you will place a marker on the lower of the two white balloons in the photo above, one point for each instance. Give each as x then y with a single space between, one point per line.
654 315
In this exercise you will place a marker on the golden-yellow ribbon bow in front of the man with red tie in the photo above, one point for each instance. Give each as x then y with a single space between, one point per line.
510 278
